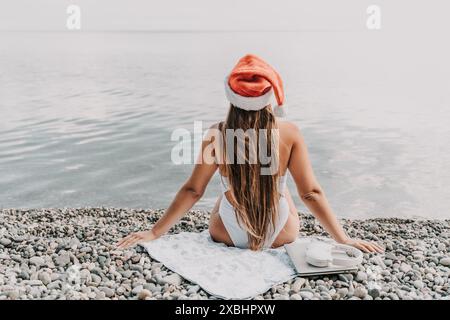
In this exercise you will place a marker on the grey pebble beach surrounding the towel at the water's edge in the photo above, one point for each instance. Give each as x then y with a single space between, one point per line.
71 254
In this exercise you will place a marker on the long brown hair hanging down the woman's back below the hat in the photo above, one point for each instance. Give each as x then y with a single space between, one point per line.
254 196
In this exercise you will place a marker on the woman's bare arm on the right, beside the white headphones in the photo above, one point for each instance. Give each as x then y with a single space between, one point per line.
314 197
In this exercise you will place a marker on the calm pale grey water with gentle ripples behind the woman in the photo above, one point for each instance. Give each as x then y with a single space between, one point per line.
86 118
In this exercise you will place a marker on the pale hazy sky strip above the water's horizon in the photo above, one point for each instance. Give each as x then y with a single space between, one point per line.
210 15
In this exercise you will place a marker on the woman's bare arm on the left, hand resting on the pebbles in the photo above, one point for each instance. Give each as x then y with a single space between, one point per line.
187 196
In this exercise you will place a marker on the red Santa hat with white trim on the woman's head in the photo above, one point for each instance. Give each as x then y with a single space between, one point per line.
252 84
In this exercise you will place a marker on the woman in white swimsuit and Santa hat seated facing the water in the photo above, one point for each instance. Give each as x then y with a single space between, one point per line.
255 209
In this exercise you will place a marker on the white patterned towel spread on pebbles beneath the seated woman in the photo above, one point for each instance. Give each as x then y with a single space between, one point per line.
222 271
